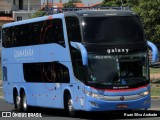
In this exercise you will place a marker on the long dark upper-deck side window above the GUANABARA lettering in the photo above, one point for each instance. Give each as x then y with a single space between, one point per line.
43 32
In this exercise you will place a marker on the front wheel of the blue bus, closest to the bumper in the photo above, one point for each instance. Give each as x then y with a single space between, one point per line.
70 108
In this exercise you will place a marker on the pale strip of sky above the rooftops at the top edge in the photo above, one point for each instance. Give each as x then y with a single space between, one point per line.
86 2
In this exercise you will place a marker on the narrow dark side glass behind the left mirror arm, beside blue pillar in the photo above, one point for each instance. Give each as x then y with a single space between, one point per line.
74 34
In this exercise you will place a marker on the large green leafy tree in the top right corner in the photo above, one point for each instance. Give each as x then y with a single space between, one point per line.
149 11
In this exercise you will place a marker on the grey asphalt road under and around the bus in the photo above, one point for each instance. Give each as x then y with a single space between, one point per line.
52 114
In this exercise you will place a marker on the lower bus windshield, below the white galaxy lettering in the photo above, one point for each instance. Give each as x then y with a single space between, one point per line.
117 70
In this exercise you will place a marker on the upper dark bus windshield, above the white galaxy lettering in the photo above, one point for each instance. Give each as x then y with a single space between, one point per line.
112 30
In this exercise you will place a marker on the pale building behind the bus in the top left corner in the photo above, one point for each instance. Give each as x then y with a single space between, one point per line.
19 9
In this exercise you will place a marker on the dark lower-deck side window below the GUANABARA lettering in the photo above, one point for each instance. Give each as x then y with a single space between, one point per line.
46 72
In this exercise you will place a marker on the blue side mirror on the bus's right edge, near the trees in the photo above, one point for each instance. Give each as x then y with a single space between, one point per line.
154 51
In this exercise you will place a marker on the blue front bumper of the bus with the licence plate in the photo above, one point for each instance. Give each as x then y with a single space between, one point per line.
94 104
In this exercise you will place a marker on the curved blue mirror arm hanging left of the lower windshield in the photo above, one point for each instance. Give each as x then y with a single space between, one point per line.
83 51
